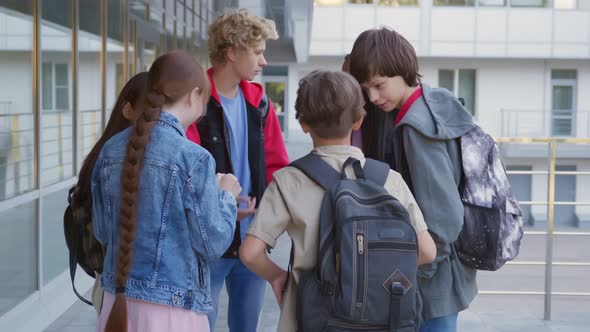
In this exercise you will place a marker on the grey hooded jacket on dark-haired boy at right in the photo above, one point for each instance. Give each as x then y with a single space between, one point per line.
428 155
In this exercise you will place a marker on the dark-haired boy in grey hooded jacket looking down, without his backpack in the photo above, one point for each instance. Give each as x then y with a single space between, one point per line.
427 153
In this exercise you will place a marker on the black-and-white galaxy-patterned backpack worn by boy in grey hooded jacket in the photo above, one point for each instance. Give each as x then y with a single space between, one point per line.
492 226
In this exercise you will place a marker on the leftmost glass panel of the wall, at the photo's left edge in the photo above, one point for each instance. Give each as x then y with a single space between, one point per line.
18 250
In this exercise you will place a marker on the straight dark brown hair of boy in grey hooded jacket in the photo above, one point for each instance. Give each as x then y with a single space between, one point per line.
383 52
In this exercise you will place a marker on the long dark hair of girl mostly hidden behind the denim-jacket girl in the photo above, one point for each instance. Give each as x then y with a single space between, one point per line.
130 93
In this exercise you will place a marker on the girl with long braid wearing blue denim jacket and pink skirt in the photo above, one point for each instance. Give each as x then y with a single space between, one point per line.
160 209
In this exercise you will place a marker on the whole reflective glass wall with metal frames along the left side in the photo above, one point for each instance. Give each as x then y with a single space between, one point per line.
35 177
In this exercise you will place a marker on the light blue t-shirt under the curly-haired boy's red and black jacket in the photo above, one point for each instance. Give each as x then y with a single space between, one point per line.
236 120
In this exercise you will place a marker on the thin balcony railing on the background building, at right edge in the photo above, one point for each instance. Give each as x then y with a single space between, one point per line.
541 123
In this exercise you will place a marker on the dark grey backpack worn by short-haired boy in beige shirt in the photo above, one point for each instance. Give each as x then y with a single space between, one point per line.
365 278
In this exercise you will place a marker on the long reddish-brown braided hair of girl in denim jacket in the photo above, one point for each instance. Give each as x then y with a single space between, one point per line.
170 78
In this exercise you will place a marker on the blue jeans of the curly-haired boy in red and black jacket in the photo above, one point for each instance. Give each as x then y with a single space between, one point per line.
245 291
